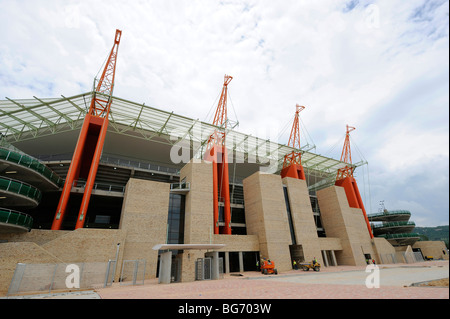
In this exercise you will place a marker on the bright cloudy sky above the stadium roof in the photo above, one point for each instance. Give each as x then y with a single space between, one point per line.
380 66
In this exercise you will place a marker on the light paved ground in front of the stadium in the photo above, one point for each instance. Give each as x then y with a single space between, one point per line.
342 282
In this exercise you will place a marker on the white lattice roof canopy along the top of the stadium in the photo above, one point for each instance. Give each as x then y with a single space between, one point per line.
27 119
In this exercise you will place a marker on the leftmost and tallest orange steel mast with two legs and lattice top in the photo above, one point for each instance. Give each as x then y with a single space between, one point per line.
90 143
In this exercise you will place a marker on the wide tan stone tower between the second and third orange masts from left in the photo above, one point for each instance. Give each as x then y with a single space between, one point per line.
265 215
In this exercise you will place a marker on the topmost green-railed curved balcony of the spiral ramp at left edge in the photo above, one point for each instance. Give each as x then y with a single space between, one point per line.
26 168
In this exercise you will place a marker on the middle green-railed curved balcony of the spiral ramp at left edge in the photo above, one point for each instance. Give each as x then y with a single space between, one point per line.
14 193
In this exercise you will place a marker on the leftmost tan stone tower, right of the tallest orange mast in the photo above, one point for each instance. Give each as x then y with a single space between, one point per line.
144 218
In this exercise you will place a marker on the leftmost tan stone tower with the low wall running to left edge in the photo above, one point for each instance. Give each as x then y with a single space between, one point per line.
143 224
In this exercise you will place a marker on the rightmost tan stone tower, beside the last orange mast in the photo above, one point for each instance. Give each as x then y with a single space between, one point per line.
347 224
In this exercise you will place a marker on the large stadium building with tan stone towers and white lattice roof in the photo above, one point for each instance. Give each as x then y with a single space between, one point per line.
154 196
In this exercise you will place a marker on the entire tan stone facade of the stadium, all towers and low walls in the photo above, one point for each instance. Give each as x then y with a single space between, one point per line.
144 218
